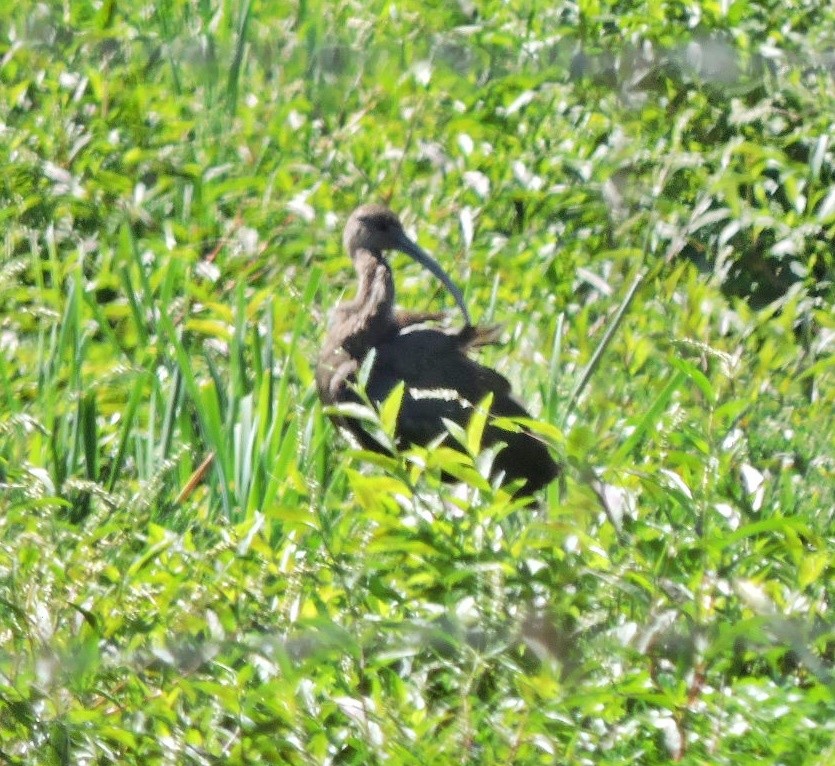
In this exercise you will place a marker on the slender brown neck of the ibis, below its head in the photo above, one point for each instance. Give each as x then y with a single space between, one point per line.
371 311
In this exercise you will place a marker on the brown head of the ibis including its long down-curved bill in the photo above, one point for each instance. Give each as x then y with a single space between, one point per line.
374 228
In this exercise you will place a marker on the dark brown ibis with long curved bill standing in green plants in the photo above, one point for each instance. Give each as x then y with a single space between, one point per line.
441 382
